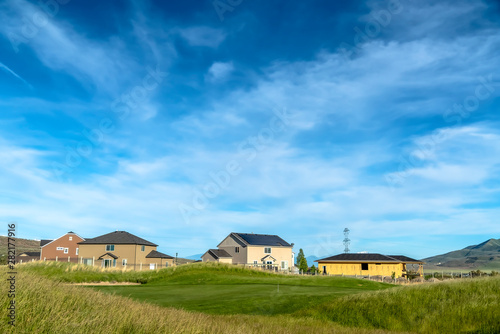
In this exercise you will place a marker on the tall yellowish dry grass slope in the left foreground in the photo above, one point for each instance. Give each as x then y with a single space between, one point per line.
47 306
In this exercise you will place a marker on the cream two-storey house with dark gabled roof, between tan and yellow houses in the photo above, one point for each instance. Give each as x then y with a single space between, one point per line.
259 250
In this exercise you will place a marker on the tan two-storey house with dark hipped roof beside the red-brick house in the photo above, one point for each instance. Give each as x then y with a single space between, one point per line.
122 250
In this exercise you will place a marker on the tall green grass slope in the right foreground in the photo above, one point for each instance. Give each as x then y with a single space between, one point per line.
468 306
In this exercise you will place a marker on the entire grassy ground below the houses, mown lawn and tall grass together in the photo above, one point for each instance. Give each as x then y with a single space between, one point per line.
226 299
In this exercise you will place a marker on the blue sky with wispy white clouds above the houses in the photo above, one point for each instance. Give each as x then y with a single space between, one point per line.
184 121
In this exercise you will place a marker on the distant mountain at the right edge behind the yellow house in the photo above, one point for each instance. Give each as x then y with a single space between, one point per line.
484 255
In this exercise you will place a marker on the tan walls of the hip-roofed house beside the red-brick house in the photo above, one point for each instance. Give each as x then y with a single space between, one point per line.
132 253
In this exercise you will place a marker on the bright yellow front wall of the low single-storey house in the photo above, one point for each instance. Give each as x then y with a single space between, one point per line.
350 268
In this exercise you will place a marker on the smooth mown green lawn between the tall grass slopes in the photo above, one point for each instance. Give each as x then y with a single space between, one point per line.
262 299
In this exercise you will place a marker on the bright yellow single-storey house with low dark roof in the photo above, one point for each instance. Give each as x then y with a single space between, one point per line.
365 264
